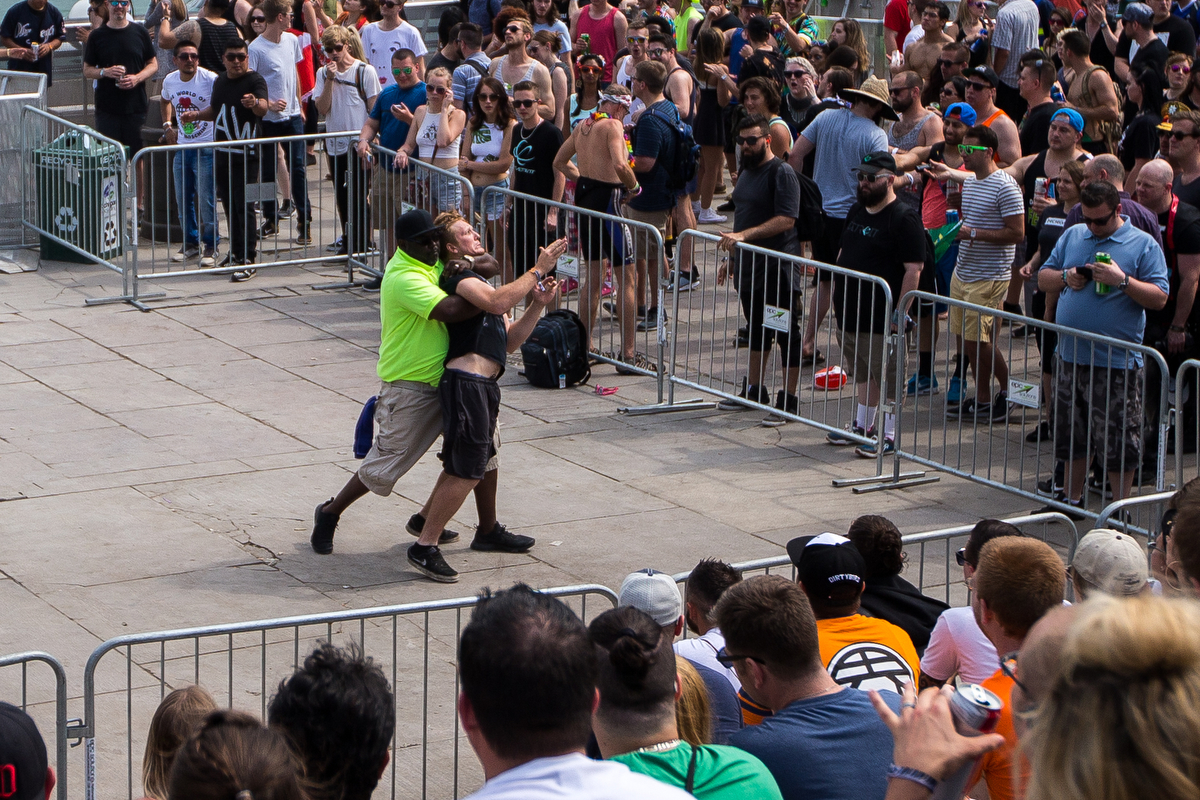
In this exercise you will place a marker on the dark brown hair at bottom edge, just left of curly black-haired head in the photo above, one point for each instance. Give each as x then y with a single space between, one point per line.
235 757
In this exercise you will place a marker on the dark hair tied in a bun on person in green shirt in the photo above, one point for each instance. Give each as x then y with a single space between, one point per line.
635 660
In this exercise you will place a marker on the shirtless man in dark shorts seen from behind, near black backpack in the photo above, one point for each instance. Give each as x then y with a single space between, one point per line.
603 169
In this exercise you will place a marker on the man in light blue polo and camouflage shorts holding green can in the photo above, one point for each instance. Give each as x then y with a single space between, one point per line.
1101 386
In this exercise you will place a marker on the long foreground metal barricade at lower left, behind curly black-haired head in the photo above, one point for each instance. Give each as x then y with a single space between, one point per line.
242 665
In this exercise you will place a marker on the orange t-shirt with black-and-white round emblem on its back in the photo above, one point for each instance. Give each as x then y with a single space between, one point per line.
868 653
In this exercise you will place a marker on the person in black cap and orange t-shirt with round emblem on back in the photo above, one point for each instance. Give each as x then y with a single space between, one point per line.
859 651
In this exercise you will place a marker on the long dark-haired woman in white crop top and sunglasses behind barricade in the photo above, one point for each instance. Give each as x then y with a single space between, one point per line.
488 154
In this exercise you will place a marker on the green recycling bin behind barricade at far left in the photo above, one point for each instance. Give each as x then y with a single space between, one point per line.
79 181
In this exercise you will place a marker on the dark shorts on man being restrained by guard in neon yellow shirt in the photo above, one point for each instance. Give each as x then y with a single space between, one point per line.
470 408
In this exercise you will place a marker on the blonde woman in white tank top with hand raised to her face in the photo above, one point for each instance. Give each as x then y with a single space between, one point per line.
436 136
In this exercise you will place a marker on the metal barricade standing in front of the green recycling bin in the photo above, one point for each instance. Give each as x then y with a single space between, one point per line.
74 190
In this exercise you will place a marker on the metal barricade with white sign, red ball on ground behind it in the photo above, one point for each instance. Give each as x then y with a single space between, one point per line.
706 324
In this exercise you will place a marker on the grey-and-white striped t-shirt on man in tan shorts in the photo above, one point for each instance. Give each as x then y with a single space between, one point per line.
986 203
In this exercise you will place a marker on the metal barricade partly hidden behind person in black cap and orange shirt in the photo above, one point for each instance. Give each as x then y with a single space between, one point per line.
935 561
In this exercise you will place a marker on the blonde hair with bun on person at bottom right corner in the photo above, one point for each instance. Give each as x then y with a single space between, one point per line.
1130 676
